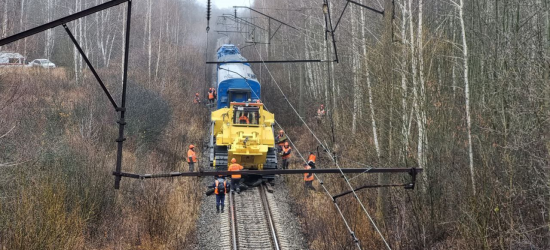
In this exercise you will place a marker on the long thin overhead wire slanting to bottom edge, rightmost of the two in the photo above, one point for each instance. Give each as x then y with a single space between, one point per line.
328 152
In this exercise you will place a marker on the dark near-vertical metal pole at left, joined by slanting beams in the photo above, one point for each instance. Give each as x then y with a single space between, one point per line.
122 109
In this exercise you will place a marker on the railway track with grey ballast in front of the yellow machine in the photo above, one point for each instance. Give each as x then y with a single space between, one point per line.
252 222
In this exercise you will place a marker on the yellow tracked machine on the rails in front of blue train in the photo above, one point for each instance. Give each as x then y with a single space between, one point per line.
243 131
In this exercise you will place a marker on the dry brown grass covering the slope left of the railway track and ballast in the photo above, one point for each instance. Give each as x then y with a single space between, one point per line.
61 195
